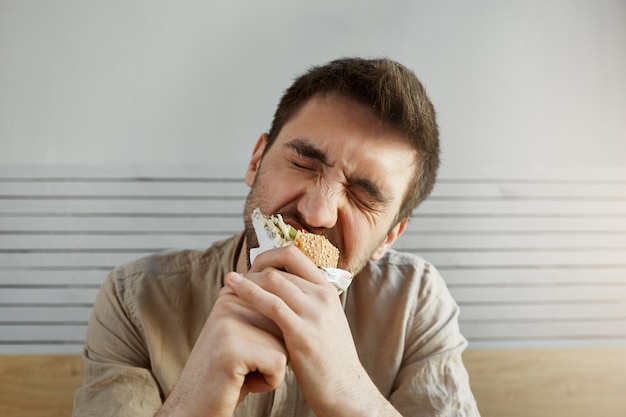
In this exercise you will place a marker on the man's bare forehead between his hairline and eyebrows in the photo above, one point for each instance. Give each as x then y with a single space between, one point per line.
352 140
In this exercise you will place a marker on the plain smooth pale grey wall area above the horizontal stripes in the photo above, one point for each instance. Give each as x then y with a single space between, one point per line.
516 83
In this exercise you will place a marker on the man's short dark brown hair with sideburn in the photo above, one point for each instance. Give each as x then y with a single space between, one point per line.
396 97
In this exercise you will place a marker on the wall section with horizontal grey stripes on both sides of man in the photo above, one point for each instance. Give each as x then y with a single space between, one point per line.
533 260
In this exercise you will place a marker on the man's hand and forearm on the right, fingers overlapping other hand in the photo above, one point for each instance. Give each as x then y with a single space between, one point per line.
286 287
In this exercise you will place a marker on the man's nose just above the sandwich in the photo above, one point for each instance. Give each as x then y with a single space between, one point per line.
318 206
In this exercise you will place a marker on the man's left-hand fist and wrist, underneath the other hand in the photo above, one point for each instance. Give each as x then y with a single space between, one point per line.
238 351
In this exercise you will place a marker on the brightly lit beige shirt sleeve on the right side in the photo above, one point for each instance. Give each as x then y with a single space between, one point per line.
433 380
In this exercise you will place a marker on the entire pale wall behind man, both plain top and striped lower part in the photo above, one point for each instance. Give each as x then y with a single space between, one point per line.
126 126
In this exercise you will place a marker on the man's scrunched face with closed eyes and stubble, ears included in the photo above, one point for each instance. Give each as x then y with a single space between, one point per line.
337 171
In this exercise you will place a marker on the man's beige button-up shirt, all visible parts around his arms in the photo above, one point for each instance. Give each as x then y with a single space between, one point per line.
148 315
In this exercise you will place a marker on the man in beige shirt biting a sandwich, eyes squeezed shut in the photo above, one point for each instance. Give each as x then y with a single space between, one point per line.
352 150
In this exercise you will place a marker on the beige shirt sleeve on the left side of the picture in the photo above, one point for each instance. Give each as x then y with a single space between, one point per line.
117 377
